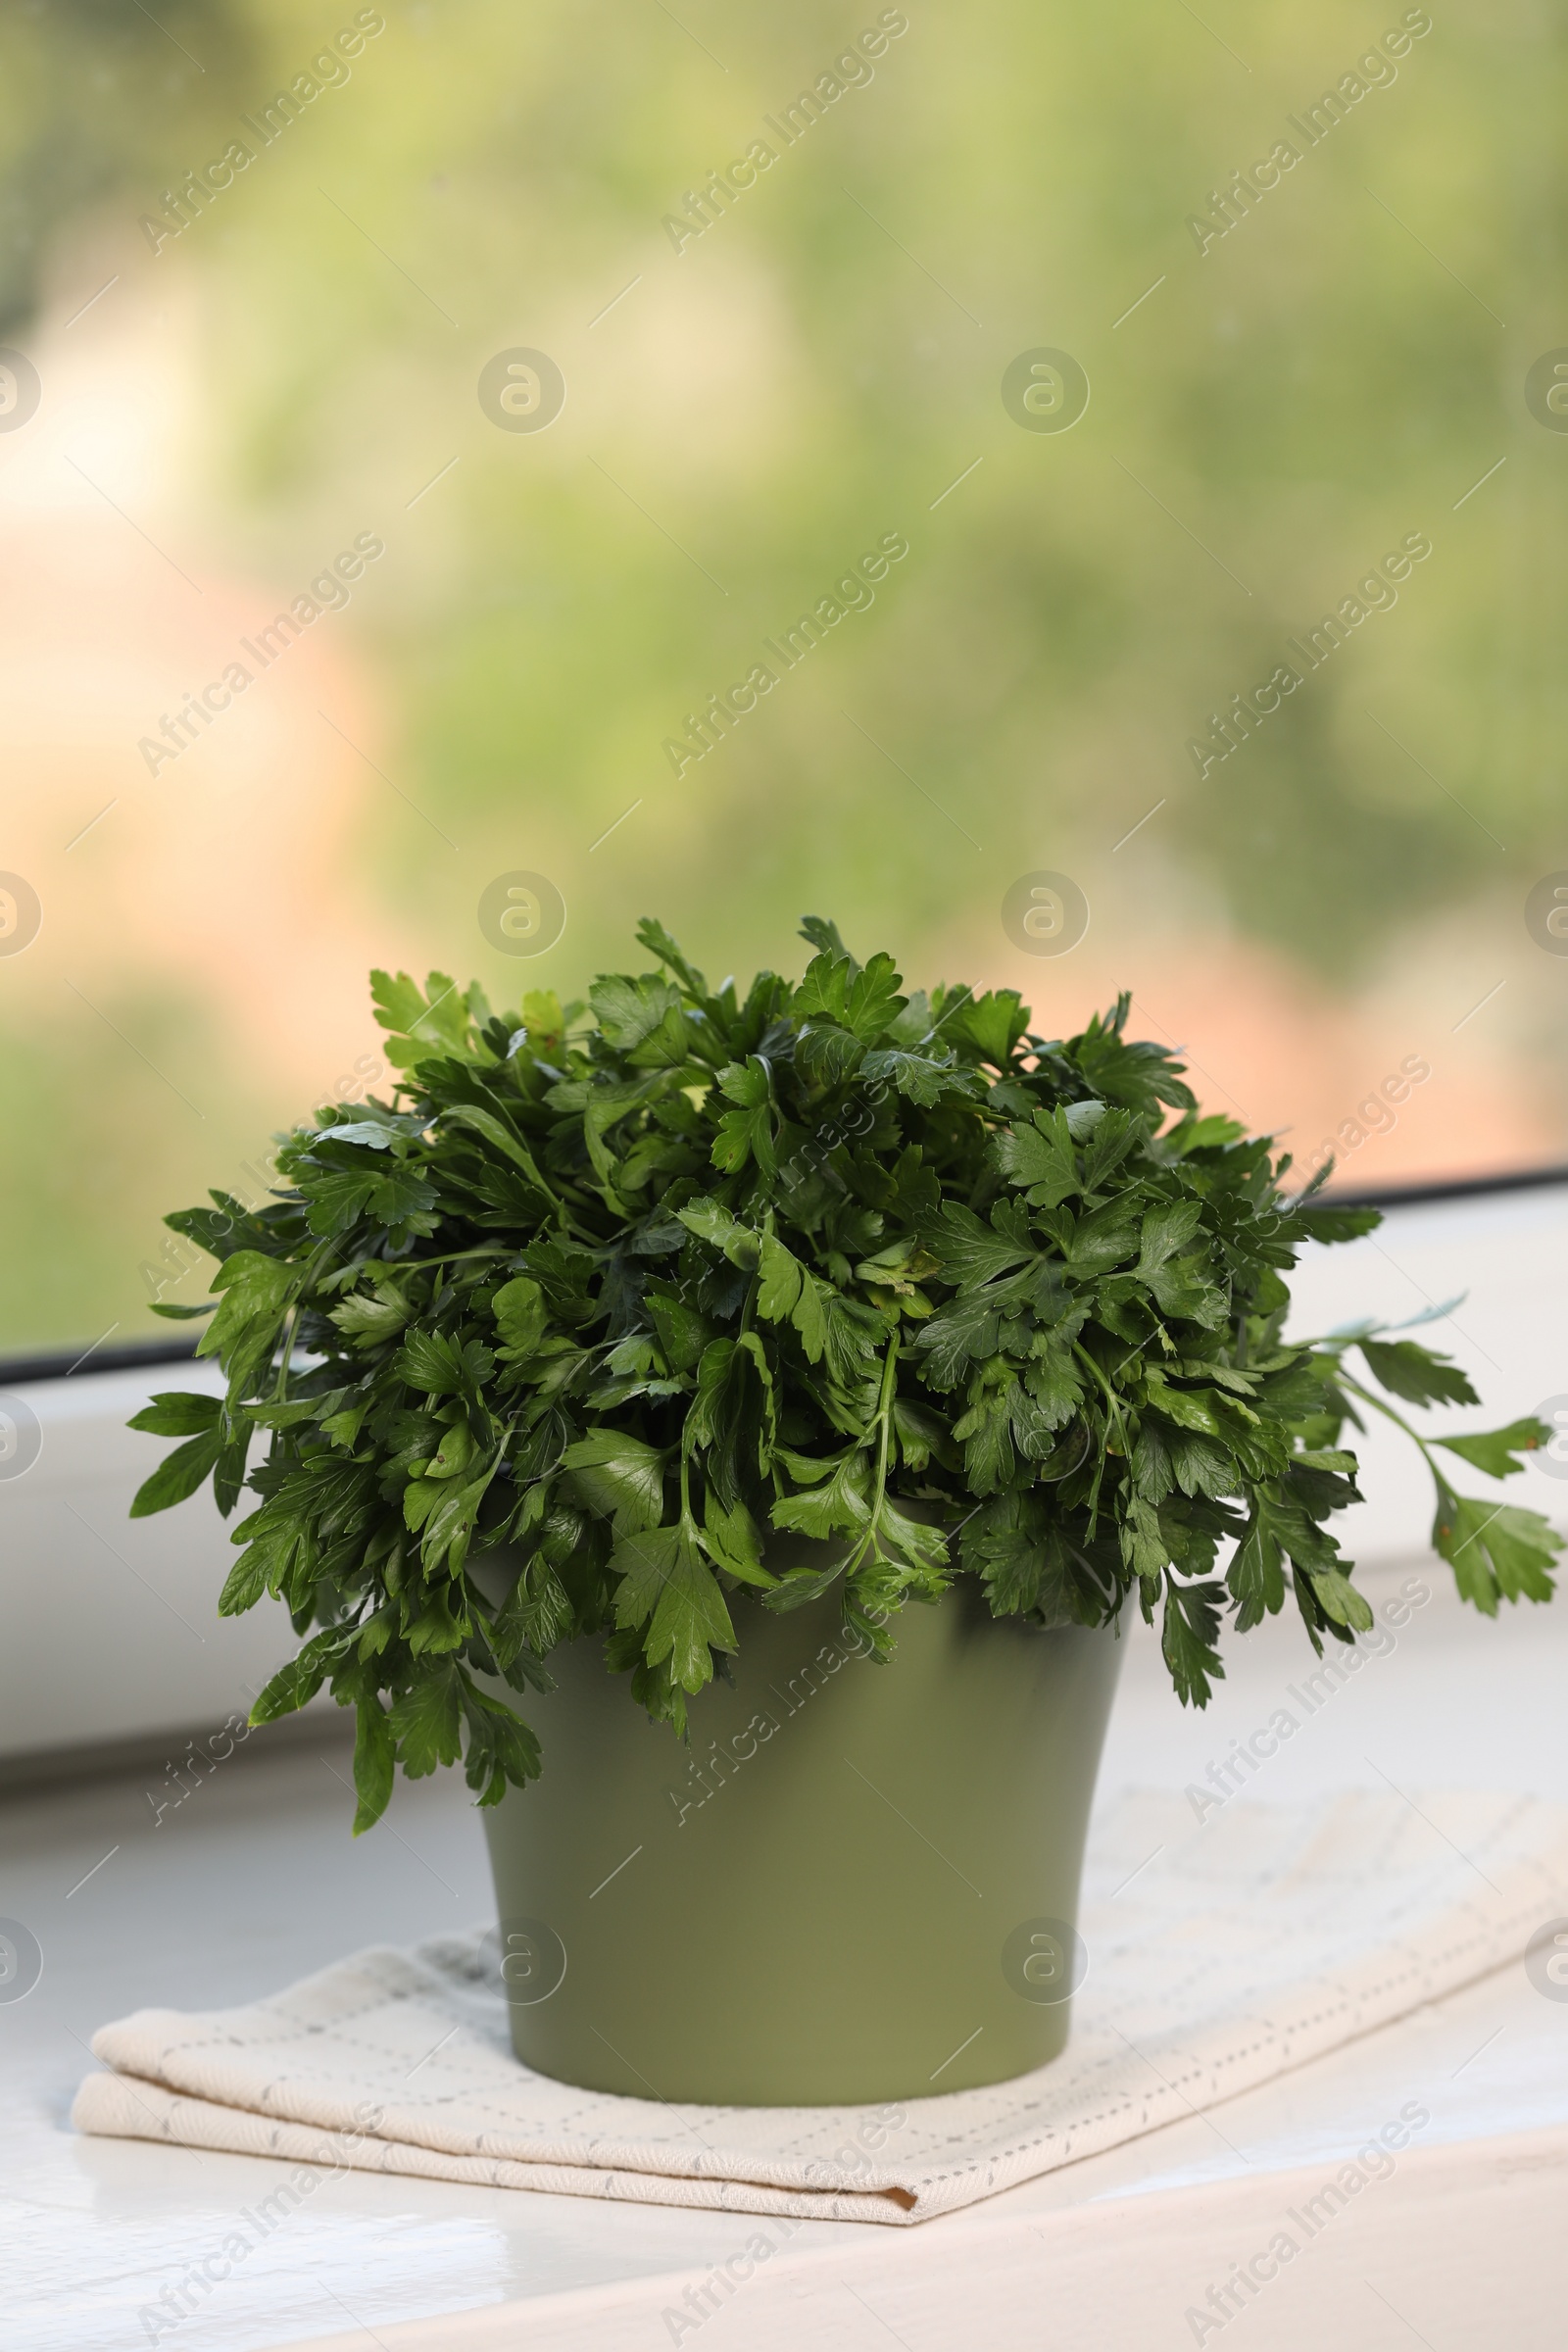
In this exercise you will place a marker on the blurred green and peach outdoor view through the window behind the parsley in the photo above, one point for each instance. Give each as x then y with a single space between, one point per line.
1271 415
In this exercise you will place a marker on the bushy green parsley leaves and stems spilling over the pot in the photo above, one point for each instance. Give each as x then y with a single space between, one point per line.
612 1307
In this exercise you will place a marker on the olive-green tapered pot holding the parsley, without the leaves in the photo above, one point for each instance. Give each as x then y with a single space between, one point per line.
859 1883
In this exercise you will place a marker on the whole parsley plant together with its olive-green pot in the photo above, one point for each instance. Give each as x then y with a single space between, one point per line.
760 1412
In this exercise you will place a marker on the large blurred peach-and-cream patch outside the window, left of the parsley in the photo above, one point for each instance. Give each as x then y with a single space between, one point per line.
227 878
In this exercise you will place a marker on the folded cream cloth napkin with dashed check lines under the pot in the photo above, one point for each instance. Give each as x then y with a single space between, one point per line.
1219 1958
